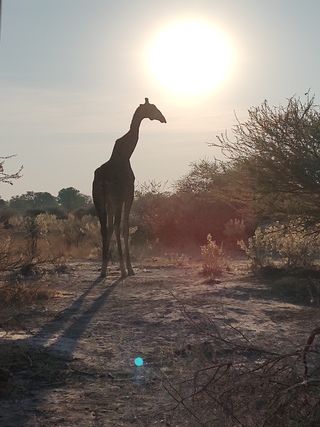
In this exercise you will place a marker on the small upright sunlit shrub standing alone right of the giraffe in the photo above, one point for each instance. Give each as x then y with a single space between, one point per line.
213 262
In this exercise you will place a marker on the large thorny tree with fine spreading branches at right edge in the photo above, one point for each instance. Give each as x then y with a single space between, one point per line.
275 158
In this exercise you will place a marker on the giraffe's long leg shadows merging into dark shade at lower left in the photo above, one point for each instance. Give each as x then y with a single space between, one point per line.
42 362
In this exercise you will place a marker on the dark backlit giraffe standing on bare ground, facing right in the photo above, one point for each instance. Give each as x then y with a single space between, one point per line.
113 188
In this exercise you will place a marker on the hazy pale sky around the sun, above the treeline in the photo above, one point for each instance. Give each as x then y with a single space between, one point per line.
72 72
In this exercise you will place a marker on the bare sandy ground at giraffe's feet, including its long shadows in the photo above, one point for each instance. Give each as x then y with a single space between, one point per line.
72 364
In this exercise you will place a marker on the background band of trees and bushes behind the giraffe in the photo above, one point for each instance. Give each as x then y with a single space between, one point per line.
263 198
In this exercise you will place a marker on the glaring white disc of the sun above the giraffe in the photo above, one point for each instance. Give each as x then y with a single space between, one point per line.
190 57
